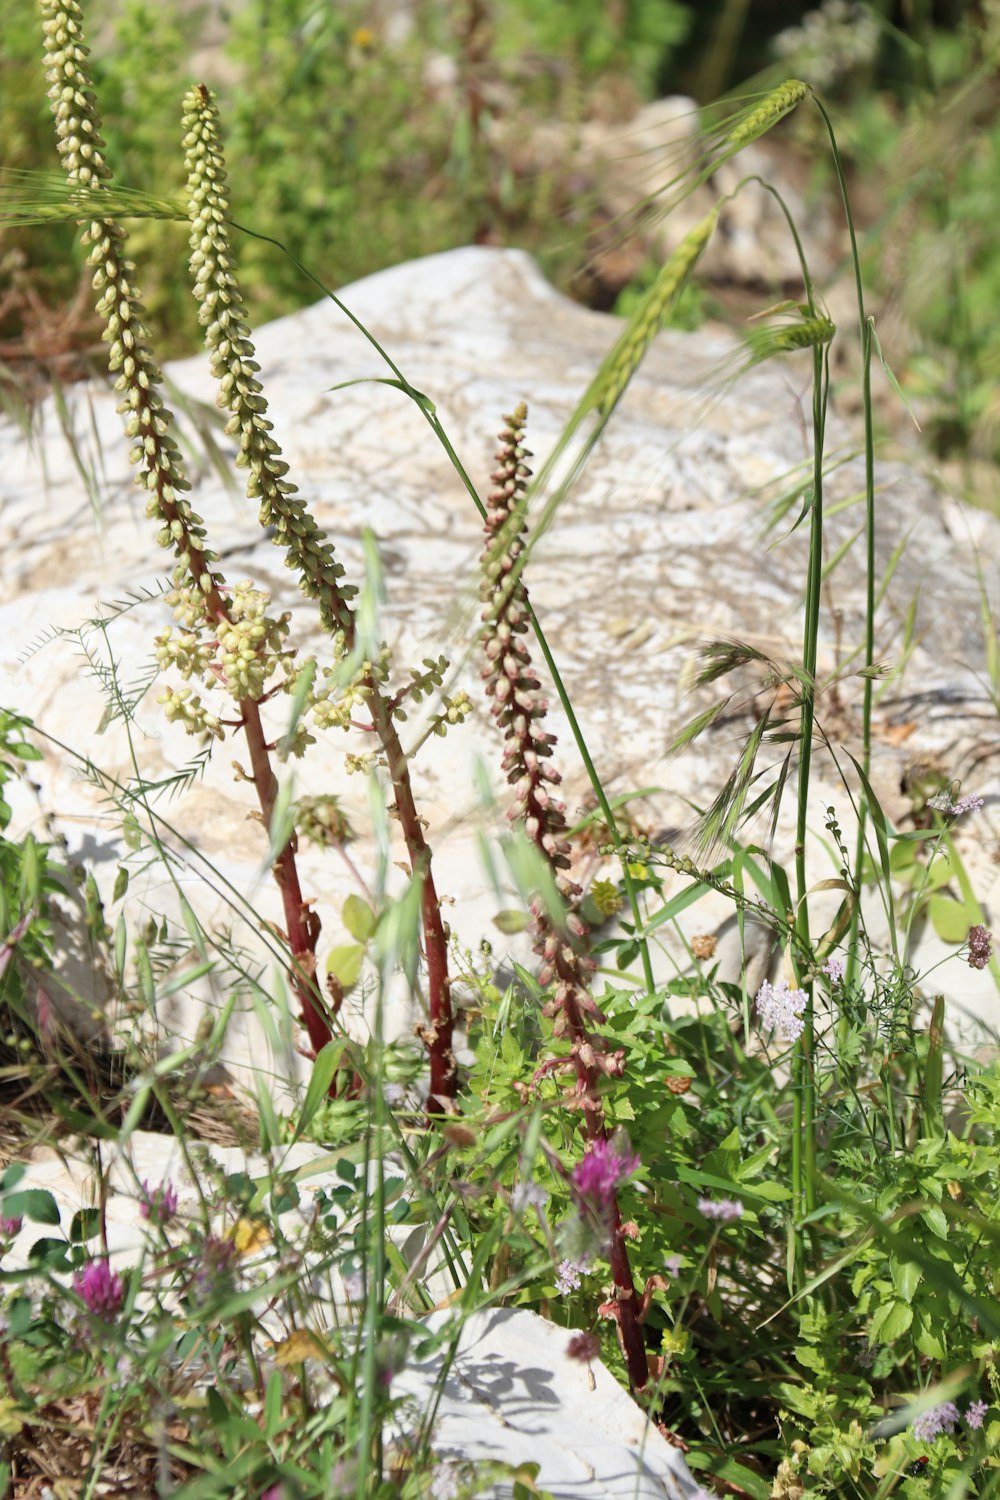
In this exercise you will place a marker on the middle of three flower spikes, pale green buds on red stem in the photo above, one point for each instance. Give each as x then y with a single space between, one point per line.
307 548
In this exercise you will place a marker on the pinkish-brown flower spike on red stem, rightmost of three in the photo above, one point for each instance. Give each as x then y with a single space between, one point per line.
558 938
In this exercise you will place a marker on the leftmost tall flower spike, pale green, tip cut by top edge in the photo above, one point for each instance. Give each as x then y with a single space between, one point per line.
200 590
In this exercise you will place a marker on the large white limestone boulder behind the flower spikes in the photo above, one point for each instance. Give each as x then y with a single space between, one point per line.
662 545
